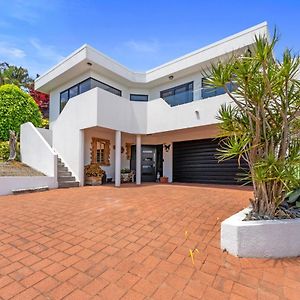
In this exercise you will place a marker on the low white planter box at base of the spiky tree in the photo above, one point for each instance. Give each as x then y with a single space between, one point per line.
267 238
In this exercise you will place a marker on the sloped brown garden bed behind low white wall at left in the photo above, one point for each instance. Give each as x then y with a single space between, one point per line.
15 168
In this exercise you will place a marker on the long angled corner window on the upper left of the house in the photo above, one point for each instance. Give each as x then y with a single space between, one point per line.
84 86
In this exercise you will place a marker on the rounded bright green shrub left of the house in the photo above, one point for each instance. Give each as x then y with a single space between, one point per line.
16 108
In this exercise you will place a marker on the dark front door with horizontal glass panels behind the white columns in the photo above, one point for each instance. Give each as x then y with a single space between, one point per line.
148 163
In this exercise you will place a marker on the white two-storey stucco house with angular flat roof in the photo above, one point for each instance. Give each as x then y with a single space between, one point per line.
159 122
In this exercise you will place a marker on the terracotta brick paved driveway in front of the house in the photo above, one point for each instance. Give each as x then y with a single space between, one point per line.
129 243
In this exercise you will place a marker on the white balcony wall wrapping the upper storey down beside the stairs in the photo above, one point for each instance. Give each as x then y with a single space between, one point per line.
99 108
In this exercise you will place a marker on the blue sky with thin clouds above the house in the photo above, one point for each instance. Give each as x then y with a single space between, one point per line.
139 34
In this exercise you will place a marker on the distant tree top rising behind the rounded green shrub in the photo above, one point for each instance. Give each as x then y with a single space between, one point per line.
18 76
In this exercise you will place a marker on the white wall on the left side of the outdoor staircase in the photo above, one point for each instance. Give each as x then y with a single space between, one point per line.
36 152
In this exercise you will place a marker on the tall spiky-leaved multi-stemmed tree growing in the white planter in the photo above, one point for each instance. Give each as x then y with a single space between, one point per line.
262 123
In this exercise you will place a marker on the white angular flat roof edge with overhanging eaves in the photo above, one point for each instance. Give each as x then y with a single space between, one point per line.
77 62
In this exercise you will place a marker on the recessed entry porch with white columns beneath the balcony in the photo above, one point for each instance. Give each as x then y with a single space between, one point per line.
148 157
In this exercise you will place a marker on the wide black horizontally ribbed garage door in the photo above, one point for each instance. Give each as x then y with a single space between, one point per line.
195 161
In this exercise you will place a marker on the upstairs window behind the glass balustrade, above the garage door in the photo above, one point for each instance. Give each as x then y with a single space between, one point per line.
179 94
